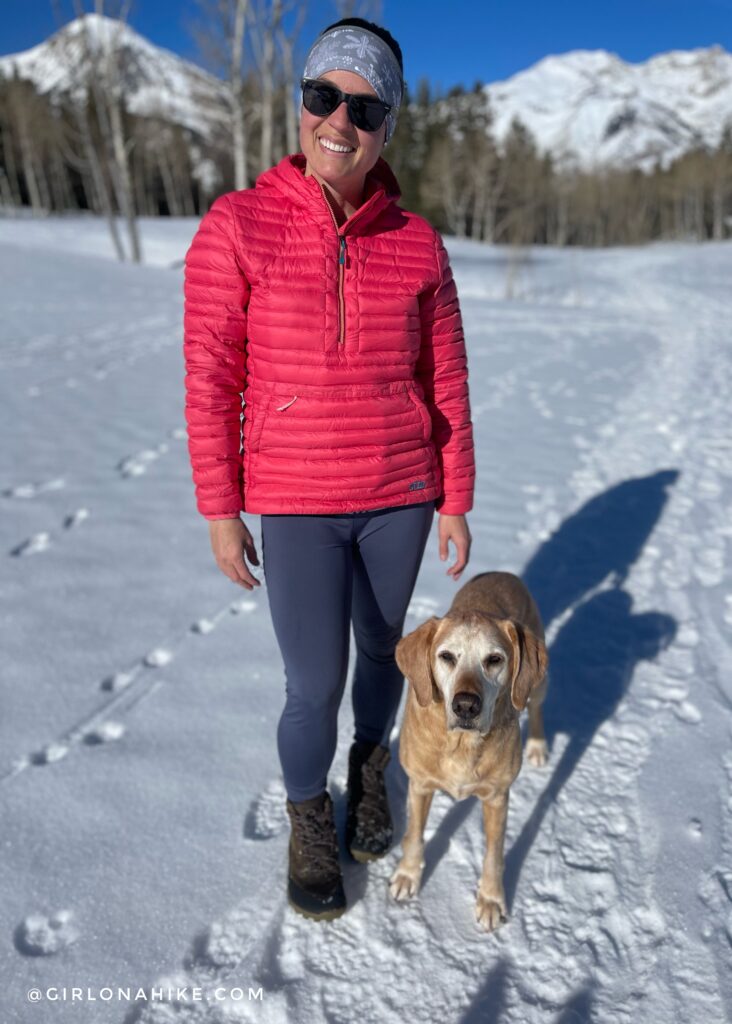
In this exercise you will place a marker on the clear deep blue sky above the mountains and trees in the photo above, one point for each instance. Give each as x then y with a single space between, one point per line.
449 41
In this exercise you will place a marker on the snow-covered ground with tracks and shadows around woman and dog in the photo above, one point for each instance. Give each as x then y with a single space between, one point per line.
145 834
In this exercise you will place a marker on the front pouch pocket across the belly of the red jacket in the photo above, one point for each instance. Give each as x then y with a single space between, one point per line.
331 425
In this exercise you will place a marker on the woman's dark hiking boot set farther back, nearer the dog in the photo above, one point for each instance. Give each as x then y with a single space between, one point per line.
369 827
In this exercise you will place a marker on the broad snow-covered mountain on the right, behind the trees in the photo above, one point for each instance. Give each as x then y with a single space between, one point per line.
592 108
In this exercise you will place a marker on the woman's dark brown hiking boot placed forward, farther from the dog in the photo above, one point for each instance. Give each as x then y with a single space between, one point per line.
315 881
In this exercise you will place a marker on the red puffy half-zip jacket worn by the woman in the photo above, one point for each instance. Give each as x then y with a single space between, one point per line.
348 346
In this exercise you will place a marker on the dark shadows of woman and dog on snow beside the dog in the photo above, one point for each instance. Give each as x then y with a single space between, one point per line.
595 654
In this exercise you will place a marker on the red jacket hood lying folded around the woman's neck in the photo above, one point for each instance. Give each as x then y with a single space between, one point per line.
381 188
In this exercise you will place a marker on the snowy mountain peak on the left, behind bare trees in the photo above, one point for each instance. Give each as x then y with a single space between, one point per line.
156 81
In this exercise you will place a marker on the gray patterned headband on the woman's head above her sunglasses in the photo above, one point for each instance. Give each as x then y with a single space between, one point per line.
353 49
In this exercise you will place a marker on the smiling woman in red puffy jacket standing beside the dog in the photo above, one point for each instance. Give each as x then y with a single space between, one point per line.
336 314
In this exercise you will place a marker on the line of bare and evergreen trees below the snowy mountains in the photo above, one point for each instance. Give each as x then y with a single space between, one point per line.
87 151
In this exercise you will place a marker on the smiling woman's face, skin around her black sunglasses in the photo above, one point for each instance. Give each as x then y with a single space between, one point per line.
345 172
